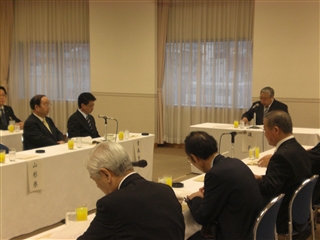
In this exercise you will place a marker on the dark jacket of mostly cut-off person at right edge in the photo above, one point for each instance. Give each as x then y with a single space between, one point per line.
314 155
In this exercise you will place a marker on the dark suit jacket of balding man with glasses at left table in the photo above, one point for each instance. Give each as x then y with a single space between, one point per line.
36 134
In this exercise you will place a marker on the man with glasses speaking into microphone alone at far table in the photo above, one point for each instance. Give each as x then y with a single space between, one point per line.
266 104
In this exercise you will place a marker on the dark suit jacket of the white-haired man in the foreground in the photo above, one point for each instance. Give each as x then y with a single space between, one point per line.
140 209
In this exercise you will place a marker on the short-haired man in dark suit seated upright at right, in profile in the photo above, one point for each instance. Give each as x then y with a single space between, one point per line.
288 167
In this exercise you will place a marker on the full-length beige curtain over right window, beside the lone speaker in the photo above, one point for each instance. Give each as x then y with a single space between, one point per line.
208 64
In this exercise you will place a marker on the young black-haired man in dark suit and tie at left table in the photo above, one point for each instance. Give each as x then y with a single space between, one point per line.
82 123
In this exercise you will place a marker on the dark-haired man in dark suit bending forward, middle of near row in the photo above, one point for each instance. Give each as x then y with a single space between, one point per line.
230 196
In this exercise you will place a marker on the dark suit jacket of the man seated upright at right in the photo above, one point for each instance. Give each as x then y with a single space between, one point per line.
287 169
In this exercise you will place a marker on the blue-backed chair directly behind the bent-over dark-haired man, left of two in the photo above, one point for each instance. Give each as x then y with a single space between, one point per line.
265 225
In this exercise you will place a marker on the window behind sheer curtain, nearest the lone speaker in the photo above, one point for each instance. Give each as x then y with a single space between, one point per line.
205 75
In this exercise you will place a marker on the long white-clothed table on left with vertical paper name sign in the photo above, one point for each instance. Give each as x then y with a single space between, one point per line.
39 188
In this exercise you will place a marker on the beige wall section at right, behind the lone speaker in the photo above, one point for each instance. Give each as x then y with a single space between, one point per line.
286 56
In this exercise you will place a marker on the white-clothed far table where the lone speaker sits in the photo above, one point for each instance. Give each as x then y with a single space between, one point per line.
238 145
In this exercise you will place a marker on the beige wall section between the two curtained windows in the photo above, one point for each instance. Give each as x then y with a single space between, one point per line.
123 63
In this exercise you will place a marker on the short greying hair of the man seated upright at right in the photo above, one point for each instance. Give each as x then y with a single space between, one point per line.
280 119
